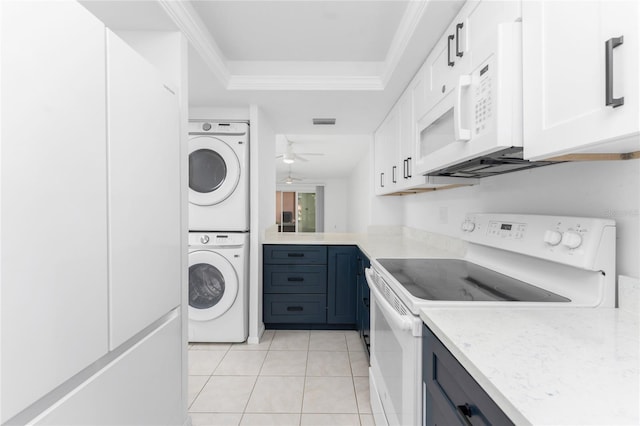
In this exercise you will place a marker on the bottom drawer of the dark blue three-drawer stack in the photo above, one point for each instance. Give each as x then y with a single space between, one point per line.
295 308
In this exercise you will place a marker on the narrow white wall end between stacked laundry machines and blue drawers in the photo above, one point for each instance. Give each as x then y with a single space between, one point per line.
262 201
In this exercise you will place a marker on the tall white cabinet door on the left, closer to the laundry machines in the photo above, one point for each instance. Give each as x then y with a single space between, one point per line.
144 193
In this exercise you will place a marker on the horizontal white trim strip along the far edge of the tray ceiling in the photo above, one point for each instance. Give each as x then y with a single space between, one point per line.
293 82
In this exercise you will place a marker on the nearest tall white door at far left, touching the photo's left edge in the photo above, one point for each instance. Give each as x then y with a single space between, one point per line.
53 196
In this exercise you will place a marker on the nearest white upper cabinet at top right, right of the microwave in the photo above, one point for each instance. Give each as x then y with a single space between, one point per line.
580 77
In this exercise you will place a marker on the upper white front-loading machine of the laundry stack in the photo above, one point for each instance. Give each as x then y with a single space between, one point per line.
218 176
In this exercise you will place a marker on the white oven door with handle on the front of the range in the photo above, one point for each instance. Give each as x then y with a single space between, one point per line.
396 359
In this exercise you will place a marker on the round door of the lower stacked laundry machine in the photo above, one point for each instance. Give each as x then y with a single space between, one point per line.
213 285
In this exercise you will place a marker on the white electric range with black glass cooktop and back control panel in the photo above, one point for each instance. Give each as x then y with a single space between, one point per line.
511 260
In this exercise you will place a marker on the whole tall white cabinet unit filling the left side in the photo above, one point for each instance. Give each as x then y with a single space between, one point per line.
90 225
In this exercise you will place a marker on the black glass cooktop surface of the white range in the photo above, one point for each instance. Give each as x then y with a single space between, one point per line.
459 280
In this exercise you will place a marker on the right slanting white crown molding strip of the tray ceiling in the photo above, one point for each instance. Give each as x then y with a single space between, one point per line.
408 25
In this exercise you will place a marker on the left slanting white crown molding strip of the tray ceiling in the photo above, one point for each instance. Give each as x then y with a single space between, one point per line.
188 21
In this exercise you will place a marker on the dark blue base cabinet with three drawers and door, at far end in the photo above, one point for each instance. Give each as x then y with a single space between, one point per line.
310 286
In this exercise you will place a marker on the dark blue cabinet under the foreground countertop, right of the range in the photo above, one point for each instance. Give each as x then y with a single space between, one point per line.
450 395
